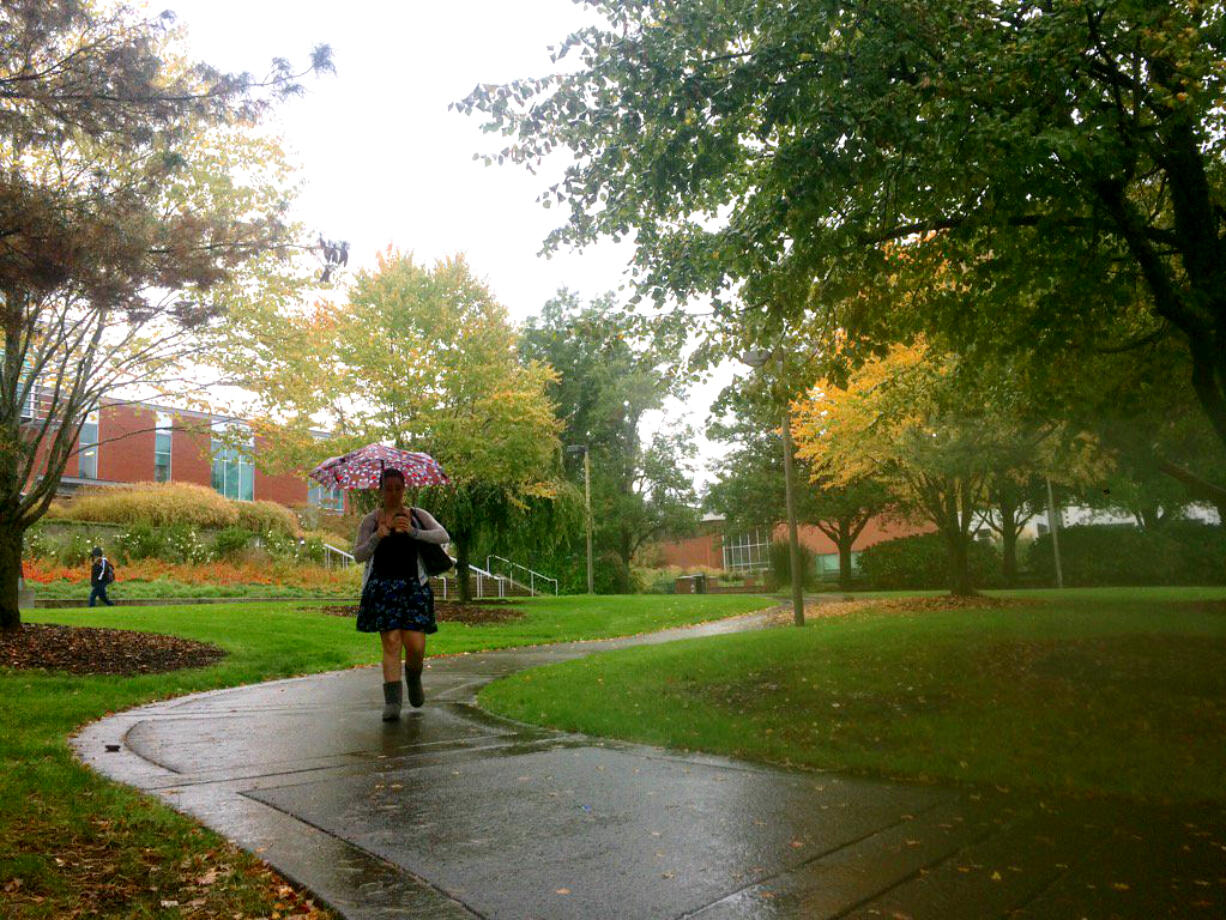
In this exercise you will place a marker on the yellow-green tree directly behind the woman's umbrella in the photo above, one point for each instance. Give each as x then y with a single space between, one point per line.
424 359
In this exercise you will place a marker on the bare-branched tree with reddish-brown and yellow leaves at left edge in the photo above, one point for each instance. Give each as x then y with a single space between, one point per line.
135 197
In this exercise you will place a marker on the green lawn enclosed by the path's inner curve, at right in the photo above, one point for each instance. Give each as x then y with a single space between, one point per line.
1102 692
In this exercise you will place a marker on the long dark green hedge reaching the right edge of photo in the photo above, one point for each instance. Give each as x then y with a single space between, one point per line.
1180 554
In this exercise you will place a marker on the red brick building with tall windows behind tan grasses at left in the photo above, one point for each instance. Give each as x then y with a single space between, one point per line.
126 442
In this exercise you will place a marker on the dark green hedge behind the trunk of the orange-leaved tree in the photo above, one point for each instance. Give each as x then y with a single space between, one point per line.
923 561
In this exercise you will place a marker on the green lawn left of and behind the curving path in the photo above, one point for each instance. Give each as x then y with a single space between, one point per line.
73 845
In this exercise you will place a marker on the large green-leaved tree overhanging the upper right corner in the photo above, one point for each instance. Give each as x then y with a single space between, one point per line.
1064 156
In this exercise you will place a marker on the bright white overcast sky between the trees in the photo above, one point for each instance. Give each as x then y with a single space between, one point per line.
382 158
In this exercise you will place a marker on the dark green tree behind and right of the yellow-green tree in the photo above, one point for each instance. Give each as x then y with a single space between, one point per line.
611 374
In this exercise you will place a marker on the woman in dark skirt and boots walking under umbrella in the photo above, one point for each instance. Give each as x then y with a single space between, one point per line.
397 598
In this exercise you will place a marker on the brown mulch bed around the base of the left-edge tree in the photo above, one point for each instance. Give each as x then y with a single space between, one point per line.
86 651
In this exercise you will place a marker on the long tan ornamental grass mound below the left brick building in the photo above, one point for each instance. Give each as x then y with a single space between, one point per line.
153 504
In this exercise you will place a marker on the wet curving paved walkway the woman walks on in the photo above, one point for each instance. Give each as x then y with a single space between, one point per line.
454 814
